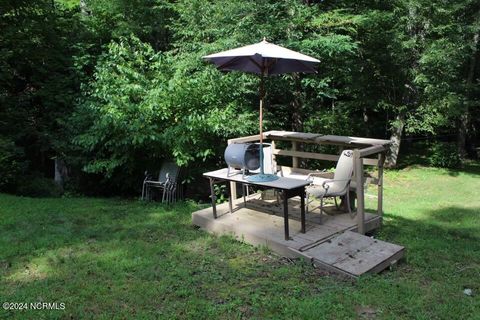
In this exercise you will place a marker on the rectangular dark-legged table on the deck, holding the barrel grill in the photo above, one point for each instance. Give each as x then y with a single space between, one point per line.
288 186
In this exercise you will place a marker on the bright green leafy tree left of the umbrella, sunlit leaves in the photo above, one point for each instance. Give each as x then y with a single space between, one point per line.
140 107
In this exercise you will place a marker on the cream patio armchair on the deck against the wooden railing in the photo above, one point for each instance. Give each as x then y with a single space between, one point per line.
338 186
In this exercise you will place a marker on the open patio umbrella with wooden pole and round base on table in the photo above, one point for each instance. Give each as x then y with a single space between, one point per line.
264 59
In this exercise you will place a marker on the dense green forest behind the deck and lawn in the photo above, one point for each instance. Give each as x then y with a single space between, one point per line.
109 88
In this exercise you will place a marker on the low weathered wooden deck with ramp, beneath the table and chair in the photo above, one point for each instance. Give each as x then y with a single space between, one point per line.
330 241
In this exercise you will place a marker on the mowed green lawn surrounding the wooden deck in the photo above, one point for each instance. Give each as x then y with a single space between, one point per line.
112 258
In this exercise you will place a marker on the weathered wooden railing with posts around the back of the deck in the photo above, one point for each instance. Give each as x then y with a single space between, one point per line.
363 150
